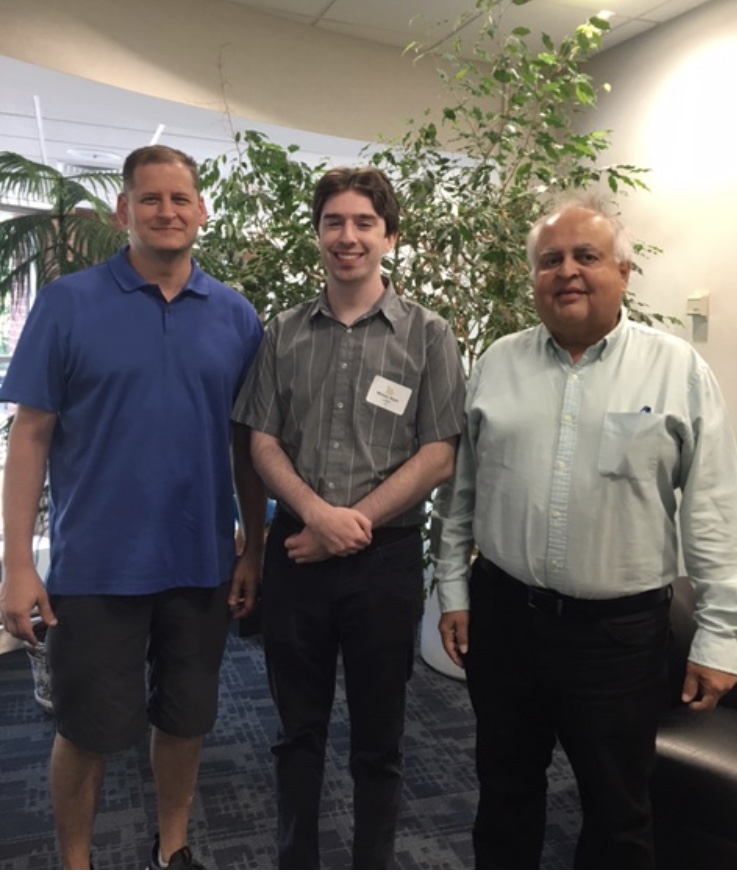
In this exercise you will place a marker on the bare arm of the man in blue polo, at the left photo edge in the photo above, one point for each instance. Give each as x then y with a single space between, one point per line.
25 471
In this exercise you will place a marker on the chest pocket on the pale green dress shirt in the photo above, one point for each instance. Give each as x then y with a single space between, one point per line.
630 445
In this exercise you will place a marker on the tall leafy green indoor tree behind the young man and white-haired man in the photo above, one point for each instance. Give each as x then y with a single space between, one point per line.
471 186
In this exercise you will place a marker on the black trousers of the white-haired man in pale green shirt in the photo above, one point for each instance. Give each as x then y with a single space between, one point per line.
598 686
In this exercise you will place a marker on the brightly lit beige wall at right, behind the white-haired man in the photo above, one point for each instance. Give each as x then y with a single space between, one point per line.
672 109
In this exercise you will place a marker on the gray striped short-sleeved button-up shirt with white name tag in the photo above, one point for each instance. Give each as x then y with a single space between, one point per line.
350 405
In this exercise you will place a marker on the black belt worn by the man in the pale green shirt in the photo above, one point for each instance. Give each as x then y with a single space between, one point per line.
572 608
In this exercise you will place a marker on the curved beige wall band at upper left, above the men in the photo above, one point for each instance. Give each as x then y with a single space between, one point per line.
184 50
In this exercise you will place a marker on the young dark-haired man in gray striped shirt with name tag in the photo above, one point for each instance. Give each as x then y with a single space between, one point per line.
355 408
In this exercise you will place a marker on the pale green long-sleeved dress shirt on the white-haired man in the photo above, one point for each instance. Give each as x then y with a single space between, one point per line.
573 476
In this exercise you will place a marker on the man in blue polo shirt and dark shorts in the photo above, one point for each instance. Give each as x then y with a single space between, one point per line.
124 376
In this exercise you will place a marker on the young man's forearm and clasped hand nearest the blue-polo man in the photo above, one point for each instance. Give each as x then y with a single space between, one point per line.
333 531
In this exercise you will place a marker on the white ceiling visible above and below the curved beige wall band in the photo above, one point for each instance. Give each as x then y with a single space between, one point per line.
83 123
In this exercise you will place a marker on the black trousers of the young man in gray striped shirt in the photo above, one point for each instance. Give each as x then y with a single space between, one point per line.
367 607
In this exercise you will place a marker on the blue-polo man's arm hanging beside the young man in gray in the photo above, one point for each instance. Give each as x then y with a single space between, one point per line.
251 496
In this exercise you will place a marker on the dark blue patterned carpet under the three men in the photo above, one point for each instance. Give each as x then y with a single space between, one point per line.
233 820
